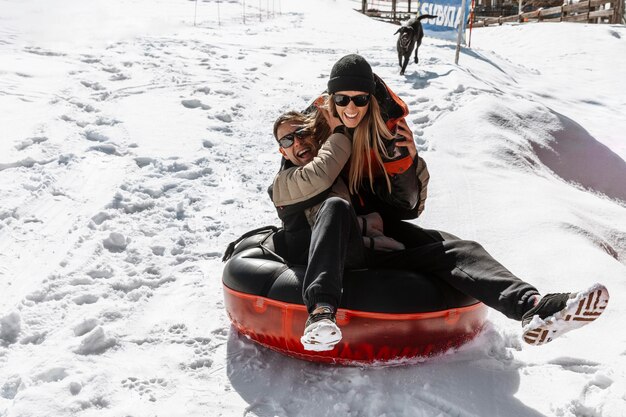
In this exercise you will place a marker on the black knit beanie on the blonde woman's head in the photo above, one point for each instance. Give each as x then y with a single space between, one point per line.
351 73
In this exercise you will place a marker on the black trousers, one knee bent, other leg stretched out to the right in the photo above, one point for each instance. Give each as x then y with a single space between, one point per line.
336 244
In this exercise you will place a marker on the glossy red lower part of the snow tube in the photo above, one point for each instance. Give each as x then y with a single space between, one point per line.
368 338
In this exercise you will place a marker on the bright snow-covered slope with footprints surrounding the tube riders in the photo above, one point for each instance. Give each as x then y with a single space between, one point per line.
134 147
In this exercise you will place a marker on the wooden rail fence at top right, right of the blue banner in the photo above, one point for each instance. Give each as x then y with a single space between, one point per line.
588 11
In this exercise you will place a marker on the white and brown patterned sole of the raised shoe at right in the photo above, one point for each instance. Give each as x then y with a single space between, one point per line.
584 308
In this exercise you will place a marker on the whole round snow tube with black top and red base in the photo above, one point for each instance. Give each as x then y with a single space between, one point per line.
385 315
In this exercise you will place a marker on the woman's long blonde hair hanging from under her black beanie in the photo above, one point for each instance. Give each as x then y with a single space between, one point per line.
370 131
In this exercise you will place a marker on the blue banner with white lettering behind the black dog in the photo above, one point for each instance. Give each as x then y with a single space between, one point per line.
448 13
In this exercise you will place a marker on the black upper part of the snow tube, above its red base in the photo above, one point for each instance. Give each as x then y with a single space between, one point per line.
256 269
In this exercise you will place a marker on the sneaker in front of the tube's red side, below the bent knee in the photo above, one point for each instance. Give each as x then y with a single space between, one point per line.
320 331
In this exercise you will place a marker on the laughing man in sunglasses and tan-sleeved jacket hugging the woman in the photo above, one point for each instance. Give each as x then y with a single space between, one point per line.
313 202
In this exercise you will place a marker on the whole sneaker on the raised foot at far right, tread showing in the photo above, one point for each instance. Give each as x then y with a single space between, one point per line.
557 314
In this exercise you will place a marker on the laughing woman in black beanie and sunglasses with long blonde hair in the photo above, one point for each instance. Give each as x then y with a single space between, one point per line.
357 98
